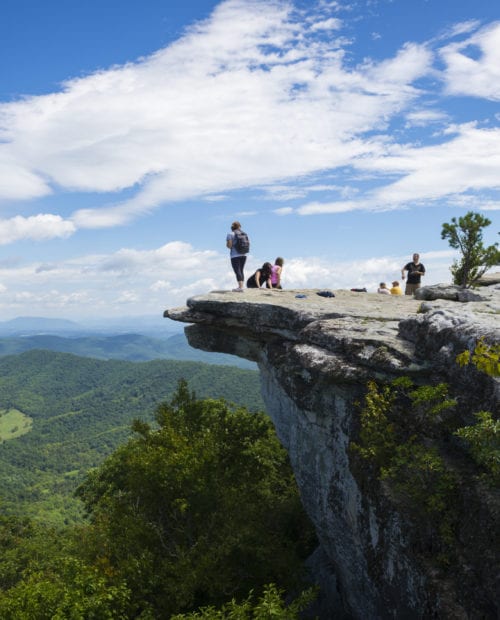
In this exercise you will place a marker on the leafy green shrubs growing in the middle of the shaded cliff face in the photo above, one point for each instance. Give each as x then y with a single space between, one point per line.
396 423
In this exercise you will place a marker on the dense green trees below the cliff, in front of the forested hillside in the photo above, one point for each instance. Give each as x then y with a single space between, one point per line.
199 506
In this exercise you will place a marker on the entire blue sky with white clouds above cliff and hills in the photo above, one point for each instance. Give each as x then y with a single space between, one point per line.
341 134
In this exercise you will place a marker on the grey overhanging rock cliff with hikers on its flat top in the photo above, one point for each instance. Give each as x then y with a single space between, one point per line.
316 355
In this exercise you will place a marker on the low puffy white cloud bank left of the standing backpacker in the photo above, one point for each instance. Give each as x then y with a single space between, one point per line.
103 284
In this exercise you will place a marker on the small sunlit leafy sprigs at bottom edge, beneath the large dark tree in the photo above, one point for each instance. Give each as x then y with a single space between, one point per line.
269 606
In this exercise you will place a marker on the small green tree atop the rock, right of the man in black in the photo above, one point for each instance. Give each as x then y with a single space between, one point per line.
466 235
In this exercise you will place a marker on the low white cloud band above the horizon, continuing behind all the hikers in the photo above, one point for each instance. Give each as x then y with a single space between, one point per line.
134 282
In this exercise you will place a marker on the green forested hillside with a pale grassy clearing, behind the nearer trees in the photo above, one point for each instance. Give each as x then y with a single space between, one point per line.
61 415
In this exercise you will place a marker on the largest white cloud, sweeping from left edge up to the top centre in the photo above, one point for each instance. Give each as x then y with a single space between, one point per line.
212 112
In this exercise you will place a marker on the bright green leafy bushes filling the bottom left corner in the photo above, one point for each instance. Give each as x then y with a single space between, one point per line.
42 577
